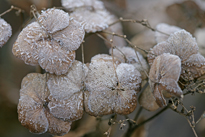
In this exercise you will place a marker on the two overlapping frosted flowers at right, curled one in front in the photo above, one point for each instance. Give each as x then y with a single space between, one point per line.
184 61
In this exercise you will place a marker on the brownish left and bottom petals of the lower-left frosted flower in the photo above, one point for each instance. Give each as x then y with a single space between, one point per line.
33 107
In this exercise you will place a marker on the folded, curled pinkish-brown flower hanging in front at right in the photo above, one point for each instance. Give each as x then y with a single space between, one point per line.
164 75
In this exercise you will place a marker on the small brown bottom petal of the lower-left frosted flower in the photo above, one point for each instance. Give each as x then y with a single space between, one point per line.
57 126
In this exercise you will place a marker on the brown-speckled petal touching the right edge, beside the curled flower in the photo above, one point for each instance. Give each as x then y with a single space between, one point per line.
194 67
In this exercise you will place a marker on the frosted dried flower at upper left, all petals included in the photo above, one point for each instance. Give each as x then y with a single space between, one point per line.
51 42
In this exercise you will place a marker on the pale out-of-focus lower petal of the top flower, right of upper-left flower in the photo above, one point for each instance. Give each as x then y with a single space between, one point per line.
92 20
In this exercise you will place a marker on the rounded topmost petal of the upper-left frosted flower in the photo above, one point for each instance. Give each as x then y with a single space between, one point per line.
53 20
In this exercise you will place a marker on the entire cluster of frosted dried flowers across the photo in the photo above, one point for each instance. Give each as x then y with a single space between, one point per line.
108 84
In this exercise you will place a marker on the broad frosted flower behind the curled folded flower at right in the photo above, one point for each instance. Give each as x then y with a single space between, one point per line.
182 44
